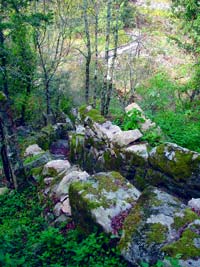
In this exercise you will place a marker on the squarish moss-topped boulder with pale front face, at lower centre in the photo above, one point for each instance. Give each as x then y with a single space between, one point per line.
98 200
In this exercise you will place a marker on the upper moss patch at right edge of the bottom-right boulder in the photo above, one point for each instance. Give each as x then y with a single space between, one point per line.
189 216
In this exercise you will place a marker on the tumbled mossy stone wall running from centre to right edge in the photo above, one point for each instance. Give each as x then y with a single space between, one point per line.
98 145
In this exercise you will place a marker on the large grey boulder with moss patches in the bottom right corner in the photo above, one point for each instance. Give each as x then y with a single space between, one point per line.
160 225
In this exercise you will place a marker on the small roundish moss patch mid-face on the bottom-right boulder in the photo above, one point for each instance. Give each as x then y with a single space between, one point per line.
157 233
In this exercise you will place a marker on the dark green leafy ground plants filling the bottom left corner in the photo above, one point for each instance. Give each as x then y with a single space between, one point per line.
26 239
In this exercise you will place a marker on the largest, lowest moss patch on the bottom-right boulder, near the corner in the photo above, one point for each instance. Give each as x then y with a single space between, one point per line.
184 246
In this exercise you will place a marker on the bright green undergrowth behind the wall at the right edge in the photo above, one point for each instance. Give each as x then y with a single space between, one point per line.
177 116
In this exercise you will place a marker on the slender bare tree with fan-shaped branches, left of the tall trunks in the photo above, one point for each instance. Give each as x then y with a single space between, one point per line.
53 43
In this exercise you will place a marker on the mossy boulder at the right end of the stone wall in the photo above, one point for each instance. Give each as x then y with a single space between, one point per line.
181 165
